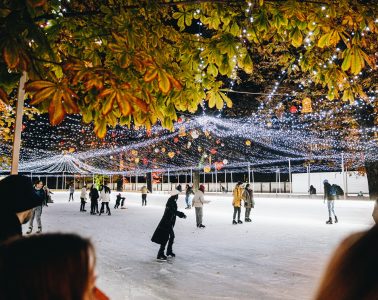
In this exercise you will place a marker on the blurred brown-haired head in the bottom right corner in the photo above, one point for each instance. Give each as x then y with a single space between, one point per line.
352 272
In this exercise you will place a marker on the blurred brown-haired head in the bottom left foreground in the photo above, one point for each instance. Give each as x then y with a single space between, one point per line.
57 266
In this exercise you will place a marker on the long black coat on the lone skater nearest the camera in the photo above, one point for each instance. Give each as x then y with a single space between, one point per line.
167 222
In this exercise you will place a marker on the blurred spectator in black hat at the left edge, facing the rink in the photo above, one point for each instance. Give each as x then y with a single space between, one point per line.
19 199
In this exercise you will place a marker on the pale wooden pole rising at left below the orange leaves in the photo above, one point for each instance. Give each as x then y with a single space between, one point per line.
18 125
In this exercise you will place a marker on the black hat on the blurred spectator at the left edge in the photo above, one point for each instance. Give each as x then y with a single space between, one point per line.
17 194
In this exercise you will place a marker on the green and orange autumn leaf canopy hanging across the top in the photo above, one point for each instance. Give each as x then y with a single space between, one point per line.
140 62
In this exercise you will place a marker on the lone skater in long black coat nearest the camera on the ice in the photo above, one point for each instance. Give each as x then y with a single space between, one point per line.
164 231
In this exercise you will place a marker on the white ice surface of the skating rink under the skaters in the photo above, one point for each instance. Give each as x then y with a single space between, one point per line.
280 255
